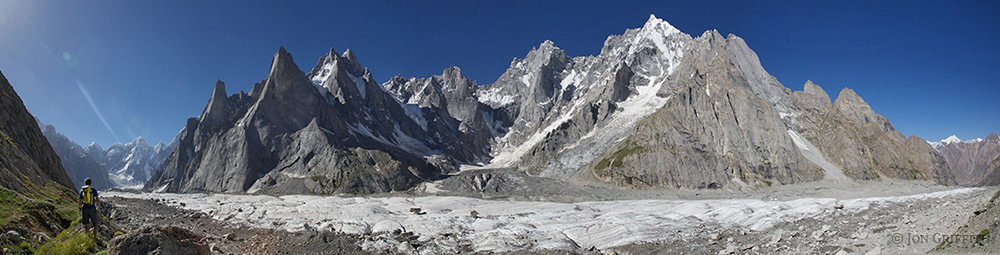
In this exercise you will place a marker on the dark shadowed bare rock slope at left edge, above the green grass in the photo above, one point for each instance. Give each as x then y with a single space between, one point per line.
25 154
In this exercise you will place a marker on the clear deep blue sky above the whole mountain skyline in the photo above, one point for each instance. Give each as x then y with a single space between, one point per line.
109 71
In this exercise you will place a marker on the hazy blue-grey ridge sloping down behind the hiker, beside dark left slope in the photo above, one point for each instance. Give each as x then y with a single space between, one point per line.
78 163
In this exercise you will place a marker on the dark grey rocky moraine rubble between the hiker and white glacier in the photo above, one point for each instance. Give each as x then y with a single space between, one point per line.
147 220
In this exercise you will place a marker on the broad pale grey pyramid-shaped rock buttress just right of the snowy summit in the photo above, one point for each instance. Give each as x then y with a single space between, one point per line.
716 129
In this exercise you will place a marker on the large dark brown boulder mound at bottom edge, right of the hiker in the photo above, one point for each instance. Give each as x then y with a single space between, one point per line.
159 240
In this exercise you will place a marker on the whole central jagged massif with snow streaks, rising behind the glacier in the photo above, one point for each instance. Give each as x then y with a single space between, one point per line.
656 108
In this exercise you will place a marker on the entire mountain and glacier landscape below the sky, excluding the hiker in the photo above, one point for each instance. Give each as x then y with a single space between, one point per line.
663 142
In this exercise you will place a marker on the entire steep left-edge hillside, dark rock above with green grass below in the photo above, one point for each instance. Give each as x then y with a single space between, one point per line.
37 194
